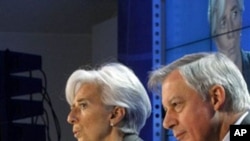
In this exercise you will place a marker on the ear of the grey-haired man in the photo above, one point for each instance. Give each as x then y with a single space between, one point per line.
217 96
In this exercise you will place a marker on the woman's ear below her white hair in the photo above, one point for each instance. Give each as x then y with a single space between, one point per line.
117 115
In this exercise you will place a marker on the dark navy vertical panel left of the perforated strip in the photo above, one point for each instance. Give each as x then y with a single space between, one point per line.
135 43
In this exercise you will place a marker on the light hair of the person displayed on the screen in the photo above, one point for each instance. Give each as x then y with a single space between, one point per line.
215 11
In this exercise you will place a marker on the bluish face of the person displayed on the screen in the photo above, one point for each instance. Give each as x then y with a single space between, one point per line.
229 23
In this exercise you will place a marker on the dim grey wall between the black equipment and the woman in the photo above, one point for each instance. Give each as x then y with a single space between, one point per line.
61 55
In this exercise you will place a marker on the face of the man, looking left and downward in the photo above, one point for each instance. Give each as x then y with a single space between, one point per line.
190 117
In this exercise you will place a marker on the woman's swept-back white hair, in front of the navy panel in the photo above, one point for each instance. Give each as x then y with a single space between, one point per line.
120 87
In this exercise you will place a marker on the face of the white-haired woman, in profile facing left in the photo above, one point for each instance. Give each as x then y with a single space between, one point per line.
89 116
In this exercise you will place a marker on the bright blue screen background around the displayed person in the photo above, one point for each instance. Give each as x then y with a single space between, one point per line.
187 28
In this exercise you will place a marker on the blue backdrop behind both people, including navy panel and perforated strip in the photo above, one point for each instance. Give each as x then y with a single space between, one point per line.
156 32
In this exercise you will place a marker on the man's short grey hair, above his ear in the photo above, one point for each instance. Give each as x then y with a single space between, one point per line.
204 70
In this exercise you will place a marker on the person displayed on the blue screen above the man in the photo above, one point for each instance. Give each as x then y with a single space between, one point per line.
225 17
